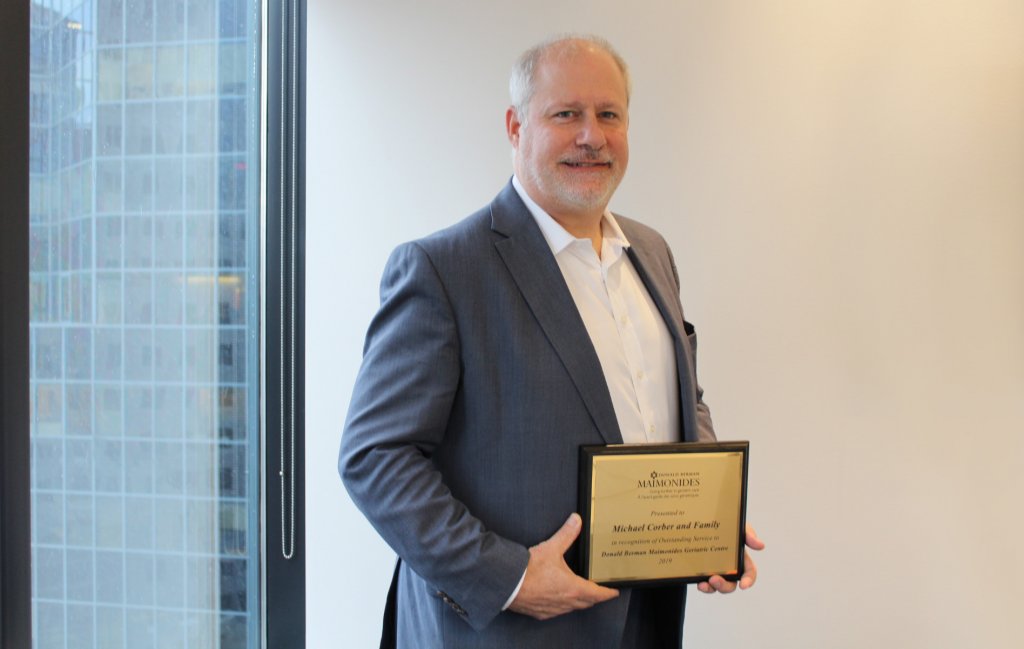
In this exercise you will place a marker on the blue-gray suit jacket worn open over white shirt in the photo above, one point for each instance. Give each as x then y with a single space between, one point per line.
479 385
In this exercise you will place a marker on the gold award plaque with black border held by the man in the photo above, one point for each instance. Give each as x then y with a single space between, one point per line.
663 513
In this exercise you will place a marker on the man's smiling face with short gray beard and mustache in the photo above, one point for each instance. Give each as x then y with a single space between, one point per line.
572 154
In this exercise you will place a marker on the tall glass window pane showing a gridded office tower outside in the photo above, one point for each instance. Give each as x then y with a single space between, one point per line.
145 302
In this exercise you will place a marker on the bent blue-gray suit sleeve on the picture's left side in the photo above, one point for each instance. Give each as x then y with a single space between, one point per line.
398 417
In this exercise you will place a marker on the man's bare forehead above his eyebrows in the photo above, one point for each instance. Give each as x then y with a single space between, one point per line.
579 75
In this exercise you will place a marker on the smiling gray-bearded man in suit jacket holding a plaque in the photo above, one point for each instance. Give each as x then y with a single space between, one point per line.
503 343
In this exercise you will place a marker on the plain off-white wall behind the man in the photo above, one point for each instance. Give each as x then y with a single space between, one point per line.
843 185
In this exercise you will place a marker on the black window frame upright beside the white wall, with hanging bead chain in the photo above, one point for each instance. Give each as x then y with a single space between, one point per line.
284 469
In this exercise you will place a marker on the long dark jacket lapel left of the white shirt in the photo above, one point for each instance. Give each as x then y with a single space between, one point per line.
536 273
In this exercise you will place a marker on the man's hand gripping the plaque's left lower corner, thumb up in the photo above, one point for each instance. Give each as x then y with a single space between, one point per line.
549 588
